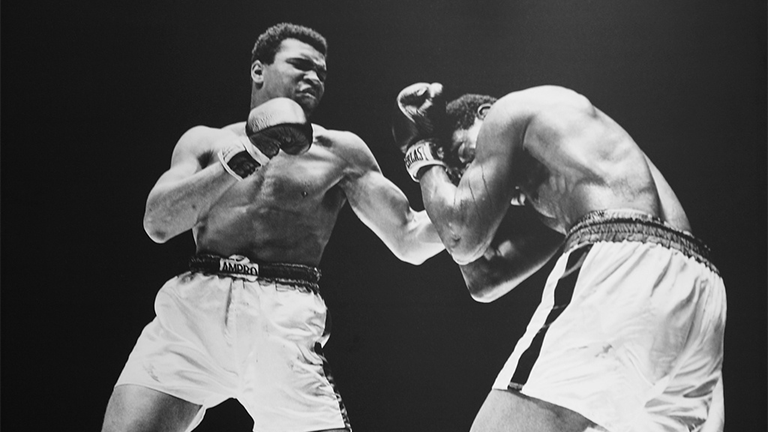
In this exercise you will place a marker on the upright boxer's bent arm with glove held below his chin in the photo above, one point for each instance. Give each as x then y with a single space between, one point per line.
206 162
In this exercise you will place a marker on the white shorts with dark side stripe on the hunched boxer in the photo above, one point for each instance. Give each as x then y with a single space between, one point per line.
629 332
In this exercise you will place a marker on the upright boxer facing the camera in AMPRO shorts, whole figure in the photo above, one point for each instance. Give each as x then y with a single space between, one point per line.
261 198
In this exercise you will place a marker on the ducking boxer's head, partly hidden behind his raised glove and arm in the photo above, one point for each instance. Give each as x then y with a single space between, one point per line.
465 117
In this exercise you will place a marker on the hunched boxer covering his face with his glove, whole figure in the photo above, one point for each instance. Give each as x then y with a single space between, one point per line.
629 332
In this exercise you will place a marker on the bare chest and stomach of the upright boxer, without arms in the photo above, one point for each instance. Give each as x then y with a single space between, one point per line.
285 212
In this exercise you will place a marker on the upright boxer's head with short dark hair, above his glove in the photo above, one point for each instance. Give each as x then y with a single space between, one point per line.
288 60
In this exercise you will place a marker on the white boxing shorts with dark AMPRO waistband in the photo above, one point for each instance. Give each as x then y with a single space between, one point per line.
234 329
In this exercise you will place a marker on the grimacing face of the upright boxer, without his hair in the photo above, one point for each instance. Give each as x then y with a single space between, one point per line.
298 72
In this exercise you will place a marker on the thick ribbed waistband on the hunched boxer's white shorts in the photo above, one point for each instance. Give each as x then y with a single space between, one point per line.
620 225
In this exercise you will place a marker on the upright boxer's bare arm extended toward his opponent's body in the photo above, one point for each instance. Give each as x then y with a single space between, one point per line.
383 207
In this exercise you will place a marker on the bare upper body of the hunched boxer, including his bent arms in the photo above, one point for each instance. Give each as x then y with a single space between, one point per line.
549 149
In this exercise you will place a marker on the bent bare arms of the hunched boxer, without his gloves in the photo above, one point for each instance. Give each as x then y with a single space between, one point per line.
496 244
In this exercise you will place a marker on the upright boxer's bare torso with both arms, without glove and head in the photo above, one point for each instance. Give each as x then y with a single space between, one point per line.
286 210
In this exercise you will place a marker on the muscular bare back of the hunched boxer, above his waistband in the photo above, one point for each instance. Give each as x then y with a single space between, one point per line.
581 160
